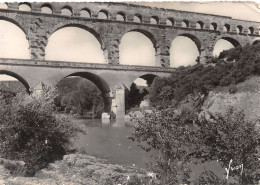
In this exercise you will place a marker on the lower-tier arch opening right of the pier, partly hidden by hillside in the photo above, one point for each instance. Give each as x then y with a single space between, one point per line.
137 96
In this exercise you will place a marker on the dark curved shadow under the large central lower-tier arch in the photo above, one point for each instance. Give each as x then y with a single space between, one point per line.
101 84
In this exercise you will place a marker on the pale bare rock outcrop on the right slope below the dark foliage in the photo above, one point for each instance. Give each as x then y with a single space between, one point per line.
245 96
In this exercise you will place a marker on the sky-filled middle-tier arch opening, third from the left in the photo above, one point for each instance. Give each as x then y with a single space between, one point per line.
136 48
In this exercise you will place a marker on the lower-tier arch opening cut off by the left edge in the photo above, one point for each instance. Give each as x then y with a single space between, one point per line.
12 83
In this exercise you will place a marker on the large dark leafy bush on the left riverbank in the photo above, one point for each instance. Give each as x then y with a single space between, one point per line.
31 131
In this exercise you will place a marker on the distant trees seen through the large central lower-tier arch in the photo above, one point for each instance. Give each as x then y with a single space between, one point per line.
79 96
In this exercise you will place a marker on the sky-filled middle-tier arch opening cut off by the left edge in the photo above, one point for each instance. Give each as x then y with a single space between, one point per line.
13 42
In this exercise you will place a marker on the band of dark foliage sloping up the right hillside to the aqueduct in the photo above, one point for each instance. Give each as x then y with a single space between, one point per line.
231 67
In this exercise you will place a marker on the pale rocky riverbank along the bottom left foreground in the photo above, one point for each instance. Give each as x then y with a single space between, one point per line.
77 169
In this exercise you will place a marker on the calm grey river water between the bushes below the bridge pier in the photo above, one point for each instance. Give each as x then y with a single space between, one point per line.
109 140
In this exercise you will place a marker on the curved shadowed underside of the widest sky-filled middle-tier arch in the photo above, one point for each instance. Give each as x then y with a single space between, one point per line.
92 31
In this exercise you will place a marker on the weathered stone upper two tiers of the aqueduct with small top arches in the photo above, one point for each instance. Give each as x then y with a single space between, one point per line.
38 27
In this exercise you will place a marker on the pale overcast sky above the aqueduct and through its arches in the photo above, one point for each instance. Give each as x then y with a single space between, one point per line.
78 45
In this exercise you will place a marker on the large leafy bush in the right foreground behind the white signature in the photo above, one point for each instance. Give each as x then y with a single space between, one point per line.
182 141
